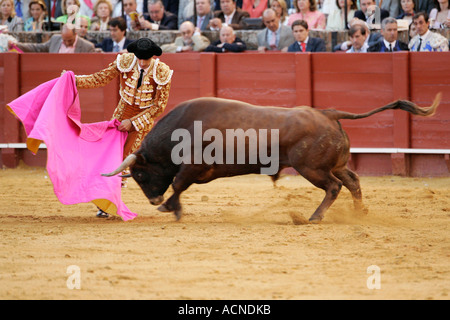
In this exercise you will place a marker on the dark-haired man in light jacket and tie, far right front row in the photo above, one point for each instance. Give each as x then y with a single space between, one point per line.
425 40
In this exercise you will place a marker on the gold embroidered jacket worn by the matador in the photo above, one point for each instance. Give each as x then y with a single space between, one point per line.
141 105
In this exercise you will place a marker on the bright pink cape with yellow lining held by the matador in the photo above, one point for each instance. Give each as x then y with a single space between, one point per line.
77 153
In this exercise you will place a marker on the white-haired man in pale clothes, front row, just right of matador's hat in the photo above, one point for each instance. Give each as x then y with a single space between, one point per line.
190 40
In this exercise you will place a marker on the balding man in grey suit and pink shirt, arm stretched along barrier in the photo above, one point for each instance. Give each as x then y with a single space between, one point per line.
67 42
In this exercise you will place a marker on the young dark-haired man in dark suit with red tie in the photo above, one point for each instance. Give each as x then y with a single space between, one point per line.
304 43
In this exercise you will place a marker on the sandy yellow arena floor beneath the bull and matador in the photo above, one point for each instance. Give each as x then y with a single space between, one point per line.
236 240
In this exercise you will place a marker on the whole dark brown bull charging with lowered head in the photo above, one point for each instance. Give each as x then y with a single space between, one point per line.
311 141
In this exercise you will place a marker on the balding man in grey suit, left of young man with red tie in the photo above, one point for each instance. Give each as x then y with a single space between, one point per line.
274 37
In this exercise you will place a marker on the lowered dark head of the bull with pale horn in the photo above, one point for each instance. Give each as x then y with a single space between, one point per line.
151 177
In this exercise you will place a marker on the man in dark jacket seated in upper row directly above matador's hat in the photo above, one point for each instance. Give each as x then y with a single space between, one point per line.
158 18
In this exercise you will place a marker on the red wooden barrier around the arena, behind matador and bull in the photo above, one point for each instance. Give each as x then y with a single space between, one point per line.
352 82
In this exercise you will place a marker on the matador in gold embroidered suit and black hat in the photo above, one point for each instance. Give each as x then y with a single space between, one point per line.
144 90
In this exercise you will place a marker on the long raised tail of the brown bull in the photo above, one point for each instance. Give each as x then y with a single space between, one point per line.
399 104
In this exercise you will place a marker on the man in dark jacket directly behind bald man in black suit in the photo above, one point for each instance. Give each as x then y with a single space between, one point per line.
229 15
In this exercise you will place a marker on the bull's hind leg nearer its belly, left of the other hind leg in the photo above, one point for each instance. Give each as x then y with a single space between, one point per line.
326 181
